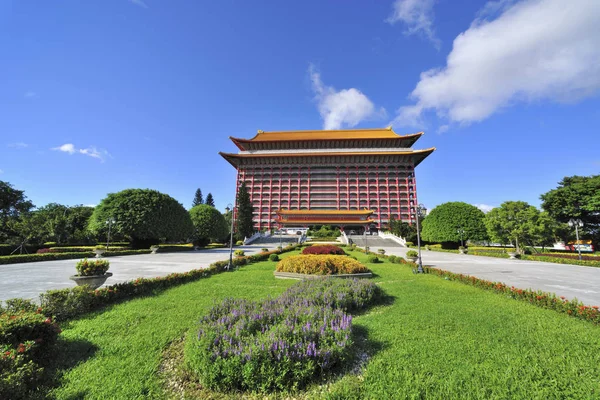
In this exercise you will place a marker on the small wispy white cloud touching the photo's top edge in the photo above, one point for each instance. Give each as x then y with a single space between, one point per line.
417 15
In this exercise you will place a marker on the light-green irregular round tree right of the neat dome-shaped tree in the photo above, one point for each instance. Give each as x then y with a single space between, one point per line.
515 222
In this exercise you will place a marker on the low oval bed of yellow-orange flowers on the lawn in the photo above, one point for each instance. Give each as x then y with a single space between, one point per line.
321 265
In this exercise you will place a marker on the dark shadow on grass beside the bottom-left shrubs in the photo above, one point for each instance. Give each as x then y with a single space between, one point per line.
66 355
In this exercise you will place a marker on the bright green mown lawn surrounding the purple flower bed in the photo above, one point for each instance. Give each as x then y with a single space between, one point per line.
437 339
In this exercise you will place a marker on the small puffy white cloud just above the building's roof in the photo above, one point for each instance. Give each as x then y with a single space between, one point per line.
344 108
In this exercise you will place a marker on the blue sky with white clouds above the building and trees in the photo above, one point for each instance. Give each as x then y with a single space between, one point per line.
99 96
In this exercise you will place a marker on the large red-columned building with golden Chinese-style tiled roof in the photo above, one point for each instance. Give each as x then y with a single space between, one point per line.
353 179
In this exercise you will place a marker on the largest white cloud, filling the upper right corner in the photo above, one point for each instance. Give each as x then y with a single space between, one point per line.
534 50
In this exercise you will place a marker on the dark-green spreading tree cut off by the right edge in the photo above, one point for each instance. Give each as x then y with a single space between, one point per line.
576 197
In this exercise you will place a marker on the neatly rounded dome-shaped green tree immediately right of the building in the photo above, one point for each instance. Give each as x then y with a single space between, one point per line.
444 223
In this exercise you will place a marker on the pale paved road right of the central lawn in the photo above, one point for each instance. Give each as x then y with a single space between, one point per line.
565 280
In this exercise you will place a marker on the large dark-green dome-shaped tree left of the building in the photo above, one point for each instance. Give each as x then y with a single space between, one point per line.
143 216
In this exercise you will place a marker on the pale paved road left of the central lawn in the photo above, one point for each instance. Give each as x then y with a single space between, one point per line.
28 280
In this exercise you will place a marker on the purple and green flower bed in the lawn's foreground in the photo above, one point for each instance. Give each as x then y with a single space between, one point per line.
280 343
